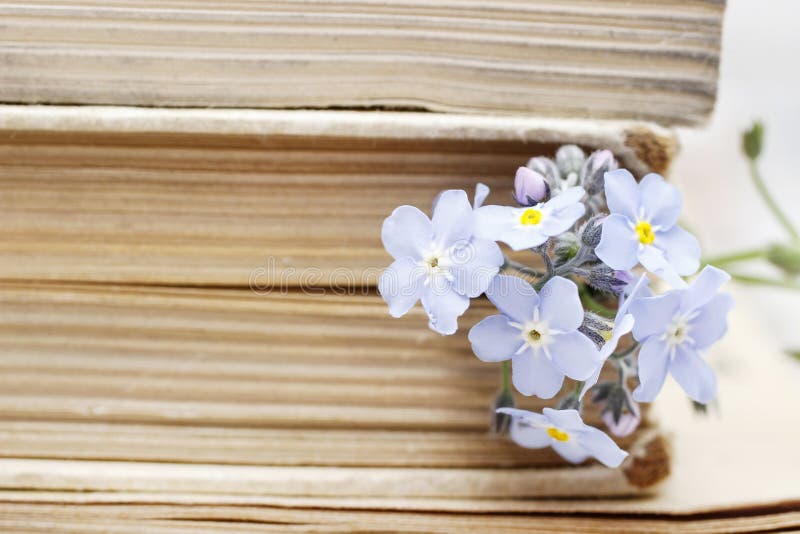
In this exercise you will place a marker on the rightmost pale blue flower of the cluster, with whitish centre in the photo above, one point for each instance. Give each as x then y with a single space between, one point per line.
674 329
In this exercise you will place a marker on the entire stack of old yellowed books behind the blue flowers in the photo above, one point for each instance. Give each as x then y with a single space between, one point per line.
191 337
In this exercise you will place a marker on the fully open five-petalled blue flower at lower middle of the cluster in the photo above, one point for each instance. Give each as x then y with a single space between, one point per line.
538 333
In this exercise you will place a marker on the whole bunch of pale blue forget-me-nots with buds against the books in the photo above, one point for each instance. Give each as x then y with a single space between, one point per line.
581 307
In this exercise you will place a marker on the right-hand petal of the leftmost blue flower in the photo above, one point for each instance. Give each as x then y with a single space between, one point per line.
474 265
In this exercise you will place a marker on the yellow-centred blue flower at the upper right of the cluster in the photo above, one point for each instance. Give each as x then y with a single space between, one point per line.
642 228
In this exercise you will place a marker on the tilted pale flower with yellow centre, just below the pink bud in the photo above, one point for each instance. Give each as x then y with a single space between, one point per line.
531 226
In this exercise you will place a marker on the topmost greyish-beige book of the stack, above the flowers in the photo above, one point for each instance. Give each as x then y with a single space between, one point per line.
612 59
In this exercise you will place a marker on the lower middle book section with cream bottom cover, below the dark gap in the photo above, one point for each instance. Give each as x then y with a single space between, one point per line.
300 394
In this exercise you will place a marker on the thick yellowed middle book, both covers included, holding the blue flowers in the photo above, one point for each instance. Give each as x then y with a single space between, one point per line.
197 287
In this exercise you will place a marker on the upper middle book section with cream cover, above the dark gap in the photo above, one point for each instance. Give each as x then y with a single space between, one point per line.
262 198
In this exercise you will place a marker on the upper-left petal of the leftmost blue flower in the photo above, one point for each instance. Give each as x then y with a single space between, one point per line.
406 233
